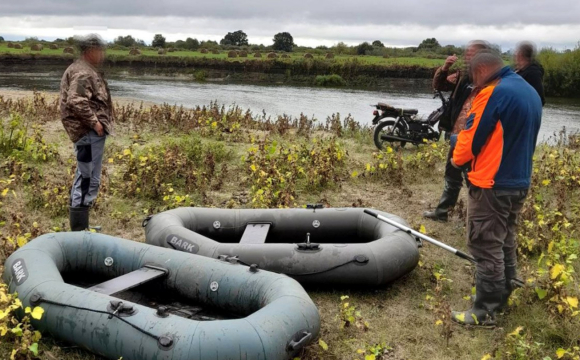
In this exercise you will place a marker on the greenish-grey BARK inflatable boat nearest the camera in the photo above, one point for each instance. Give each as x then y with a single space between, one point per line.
117 298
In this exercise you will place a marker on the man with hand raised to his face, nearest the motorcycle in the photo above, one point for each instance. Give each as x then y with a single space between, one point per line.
461 98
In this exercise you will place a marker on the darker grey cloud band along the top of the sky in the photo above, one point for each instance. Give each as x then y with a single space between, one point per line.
336 12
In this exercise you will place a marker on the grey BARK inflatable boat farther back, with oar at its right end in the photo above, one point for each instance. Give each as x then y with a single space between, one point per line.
313 245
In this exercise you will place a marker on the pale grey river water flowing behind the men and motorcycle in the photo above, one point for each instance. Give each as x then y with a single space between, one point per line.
278 100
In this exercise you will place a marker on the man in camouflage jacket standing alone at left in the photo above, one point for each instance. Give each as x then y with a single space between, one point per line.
87 115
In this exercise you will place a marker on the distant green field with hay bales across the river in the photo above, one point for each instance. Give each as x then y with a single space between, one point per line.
374 60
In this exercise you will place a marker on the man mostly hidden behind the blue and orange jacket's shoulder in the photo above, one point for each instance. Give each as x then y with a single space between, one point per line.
528 68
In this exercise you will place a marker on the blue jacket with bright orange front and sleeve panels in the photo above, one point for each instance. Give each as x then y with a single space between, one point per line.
501 133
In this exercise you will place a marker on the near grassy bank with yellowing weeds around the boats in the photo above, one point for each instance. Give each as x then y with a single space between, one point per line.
163 157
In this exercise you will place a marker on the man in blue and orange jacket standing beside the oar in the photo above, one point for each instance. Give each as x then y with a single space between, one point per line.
498 141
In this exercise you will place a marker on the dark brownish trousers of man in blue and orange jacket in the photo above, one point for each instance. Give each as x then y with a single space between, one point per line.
492 217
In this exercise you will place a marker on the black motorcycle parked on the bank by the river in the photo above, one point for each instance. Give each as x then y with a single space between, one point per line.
406 127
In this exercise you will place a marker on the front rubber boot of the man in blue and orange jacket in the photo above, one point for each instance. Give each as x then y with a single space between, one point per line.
488 298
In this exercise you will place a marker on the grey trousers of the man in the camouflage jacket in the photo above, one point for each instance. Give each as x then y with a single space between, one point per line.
89 153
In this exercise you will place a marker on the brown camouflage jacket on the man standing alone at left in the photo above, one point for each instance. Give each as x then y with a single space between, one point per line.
84 99
